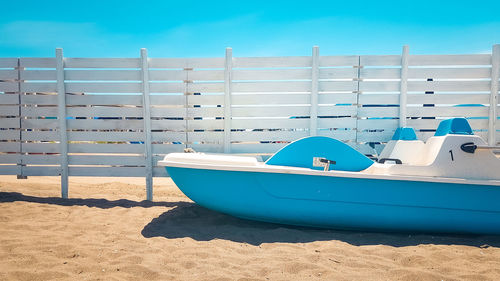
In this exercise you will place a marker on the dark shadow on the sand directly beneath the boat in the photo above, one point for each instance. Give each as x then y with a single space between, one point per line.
193 221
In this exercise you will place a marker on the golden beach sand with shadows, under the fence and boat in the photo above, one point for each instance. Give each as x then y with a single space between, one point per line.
106 232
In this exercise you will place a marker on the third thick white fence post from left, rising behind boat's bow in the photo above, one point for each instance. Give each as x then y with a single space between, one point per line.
228 69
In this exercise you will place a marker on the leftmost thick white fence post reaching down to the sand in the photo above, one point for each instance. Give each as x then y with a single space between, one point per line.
61 106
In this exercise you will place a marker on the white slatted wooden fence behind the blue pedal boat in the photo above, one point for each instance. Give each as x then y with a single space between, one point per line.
119 116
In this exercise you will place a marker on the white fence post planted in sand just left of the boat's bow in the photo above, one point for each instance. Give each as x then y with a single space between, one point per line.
146 109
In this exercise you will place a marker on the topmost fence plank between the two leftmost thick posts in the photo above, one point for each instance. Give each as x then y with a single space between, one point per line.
102 63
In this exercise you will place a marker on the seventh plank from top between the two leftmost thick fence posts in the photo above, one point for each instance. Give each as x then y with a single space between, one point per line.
106 136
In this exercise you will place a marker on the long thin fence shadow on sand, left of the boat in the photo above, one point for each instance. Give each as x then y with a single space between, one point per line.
6 197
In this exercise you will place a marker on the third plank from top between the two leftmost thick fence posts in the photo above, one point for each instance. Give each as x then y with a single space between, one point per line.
103 87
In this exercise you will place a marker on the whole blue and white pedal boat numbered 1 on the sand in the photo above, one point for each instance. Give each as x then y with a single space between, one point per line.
449 184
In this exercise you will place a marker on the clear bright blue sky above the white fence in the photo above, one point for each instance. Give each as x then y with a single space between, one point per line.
99 28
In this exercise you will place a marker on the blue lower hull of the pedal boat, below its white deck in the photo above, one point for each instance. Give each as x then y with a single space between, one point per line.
343 202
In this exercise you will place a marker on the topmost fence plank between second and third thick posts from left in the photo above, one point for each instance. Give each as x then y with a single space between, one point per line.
186 62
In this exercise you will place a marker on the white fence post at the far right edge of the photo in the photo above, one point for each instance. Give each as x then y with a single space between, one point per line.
495 75
